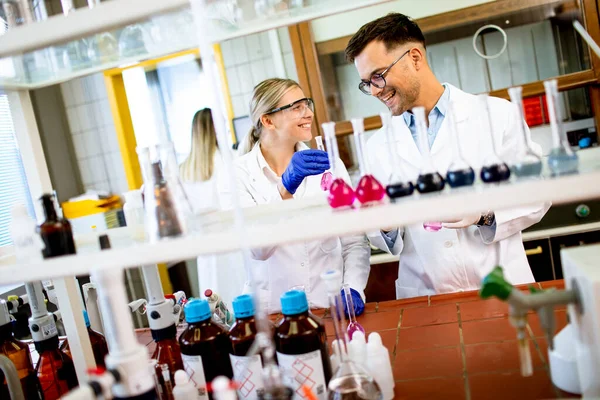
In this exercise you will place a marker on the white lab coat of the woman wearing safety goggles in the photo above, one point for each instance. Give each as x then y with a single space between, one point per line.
277 269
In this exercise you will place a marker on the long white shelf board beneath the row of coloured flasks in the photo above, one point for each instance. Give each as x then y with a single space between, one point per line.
310 218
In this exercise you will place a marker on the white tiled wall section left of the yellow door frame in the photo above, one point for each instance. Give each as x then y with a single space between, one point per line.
93 133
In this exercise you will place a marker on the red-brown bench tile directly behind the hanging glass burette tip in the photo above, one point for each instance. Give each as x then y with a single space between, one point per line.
502 356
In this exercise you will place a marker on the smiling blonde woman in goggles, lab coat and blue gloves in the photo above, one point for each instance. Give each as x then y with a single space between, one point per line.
275 165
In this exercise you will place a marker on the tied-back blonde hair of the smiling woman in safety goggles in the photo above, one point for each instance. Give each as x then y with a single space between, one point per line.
265 97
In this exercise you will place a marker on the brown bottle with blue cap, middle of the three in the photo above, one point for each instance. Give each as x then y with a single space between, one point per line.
242 335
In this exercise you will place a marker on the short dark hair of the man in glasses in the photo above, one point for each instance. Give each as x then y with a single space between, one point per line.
393 30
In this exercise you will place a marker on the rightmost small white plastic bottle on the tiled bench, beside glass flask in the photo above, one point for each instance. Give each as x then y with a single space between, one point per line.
378 363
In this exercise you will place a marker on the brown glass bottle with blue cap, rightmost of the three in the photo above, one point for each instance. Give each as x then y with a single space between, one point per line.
301 344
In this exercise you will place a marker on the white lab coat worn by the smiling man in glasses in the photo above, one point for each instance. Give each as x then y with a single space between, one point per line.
454 260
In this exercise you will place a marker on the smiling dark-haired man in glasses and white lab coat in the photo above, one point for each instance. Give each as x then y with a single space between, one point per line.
389 54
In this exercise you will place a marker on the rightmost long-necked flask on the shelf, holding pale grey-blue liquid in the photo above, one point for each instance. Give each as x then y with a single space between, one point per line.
561 160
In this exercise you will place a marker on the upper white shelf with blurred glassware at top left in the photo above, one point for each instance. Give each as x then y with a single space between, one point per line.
121 32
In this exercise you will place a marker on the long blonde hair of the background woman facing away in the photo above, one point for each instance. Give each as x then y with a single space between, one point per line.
199 164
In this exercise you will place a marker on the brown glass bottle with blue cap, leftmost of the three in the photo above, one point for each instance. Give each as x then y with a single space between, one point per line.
205 346
